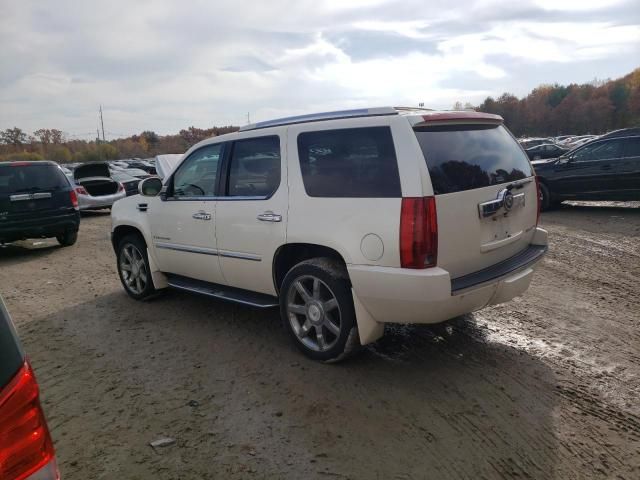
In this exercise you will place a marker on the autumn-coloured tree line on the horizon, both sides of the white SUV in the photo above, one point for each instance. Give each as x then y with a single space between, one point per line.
548 110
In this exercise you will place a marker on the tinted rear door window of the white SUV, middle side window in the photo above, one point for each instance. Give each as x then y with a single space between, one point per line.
254 170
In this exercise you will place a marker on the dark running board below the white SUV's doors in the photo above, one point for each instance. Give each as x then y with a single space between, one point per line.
223 292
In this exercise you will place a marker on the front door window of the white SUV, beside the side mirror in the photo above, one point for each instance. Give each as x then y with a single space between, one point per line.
196 176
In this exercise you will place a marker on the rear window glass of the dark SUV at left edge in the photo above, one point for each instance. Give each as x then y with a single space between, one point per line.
31 178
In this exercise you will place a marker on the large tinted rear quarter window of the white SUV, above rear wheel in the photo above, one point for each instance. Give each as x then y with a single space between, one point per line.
352 162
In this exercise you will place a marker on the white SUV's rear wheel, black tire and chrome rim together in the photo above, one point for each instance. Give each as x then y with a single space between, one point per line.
317 310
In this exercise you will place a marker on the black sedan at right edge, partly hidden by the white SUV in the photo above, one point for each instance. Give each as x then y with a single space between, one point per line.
603 169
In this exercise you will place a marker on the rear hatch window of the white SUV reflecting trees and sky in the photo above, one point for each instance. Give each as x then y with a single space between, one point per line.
464 157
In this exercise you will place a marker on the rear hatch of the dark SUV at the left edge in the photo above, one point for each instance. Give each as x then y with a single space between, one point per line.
33 188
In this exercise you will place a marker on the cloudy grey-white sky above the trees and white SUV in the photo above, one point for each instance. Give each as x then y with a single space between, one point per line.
167 65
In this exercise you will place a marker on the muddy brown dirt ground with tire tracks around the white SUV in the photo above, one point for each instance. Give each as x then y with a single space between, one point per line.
546 386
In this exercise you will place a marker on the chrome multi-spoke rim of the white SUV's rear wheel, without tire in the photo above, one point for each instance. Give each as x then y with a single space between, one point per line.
314 313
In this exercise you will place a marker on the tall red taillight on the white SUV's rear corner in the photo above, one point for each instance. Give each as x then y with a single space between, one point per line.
418 233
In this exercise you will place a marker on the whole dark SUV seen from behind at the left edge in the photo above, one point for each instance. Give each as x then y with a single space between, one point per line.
37 201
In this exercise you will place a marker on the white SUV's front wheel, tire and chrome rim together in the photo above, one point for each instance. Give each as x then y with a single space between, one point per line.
133 267
